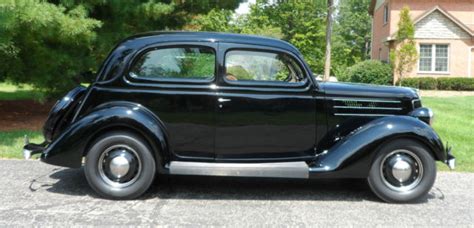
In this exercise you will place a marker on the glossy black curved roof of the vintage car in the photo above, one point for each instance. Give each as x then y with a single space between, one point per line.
184 36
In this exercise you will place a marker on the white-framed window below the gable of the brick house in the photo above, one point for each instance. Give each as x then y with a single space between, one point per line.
433 58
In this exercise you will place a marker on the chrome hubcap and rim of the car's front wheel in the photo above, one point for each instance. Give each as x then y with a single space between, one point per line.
401 170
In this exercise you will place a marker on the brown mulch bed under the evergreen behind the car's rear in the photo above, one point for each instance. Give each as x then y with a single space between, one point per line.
23 115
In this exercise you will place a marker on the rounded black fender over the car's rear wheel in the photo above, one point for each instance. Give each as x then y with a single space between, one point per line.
69 148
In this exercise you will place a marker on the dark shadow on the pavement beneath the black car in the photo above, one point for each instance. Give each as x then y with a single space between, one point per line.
73 182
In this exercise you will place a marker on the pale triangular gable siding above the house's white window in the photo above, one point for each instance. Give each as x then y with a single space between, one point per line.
438 26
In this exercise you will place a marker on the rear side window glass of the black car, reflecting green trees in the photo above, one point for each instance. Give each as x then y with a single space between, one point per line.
176 63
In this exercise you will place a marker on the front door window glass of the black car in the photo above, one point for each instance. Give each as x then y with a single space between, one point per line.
260 66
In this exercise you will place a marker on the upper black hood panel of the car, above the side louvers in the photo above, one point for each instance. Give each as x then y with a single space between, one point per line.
367 90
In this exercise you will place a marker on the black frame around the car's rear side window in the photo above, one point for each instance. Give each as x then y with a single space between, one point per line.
142 52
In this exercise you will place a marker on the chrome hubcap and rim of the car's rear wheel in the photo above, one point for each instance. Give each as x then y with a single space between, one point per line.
119 166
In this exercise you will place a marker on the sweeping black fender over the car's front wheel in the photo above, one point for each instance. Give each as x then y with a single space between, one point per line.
352 156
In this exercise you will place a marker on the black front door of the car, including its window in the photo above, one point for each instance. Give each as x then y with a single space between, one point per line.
266 108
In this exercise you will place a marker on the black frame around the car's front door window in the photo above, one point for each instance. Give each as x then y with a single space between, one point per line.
259 83
